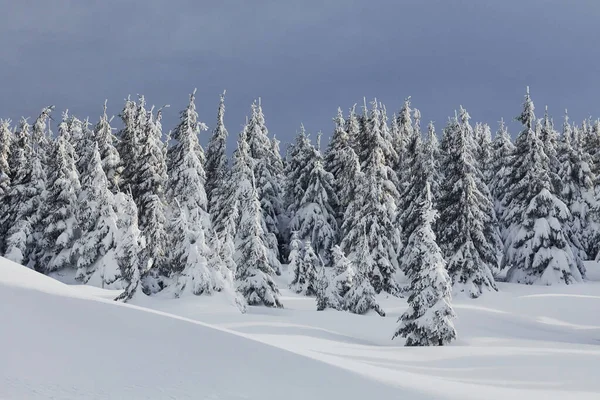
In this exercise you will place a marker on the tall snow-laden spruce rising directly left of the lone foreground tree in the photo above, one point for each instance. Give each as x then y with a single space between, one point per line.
370 216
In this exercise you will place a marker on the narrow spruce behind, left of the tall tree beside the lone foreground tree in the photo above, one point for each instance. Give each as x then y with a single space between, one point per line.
342 162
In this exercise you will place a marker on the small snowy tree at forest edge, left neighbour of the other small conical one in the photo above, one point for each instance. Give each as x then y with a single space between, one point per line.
333 288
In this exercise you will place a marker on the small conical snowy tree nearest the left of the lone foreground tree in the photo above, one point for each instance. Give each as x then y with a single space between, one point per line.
360 299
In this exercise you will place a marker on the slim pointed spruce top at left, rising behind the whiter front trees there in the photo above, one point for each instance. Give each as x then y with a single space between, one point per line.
111 160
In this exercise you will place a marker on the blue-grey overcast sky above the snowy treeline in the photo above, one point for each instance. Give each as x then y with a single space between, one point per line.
304 58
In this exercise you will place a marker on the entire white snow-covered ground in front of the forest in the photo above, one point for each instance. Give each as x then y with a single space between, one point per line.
61 341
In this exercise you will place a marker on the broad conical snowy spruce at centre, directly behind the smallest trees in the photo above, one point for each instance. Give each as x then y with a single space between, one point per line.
315 219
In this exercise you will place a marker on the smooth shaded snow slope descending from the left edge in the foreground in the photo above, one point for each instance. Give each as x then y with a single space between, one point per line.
56 342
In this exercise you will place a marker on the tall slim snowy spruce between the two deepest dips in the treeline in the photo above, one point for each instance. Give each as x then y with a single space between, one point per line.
265 166
